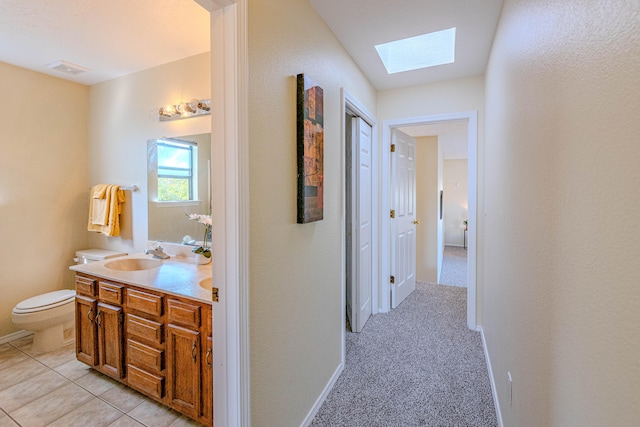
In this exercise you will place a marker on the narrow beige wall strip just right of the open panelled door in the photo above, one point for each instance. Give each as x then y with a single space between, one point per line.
427 196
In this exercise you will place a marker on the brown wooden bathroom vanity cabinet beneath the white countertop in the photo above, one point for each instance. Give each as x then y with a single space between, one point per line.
167 341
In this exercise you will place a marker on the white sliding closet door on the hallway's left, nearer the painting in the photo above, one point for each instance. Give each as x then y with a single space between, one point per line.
361 262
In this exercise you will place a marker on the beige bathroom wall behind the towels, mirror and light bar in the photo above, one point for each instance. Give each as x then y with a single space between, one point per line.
123 115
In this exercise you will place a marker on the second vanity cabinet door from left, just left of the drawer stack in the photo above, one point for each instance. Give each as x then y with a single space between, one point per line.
110 340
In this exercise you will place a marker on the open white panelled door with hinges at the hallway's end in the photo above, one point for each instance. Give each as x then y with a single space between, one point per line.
403 226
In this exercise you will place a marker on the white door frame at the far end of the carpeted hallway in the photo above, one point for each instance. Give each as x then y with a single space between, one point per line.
385 203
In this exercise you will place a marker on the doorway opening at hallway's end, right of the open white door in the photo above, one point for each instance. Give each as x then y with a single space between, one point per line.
441 201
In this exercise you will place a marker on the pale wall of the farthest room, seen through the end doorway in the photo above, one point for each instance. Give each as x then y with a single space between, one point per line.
456 194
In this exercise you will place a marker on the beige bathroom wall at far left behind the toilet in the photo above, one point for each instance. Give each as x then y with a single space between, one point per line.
43 176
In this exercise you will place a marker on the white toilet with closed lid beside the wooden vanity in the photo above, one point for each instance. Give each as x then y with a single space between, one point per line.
51 316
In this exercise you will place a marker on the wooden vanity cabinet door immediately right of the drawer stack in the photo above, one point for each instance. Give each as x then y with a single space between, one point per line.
183 370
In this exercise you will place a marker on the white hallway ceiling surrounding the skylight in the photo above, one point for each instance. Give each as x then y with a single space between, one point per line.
362 24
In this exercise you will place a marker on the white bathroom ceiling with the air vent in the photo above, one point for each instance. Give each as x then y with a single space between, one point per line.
111 37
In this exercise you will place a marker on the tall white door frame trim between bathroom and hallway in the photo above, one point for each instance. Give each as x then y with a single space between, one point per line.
230 190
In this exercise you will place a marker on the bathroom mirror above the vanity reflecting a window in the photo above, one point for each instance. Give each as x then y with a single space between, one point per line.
178 183
